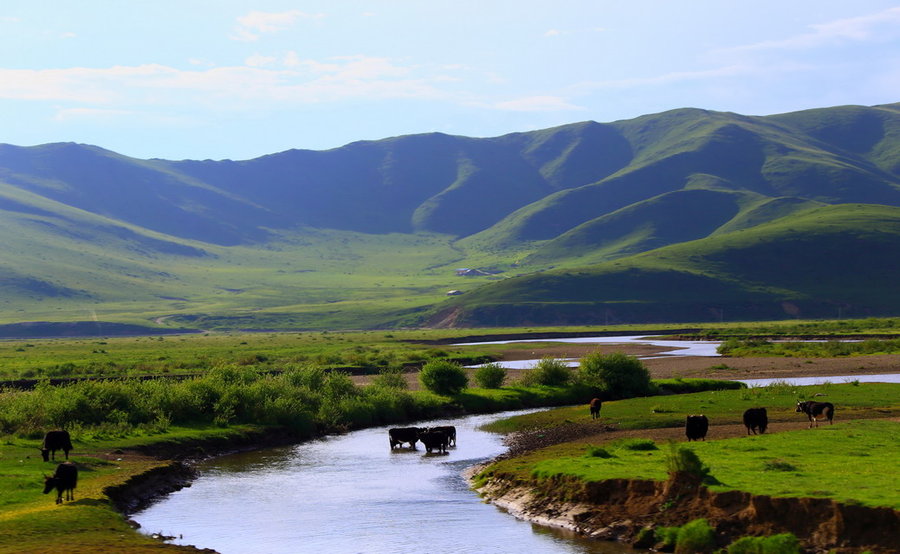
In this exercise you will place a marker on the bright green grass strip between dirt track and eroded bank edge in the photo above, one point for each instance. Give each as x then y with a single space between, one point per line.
798 463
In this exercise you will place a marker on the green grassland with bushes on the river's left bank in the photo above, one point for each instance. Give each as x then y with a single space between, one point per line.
230 396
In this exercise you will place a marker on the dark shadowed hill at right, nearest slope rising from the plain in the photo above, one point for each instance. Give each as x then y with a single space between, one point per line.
825 262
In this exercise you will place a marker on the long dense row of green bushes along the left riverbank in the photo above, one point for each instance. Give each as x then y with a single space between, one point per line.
305 399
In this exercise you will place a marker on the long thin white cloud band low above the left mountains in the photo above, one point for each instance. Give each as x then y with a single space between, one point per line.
236 87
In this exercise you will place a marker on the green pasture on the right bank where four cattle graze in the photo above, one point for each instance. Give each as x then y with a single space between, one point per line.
852 461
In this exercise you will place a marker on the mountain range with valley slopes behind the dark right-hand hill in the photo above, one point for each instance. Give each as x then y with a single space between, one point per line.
376 225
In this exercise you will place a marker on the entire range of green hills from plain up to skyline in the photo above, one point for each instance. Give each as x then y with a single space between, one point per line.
682 216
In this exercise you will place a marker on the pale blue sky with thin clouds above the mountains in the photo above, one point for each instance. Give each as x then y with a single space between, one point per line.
197 79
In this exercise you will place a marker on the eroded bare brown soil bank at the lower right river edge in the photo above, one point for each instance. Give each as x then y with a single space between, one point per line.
618 509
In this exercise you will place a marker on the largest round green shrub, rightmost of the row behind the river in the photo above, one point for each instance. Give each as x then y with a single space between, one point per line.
618 374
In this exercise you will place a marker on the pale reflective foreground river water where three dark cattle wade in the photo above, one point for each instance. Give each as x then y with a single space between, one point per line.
351 493
